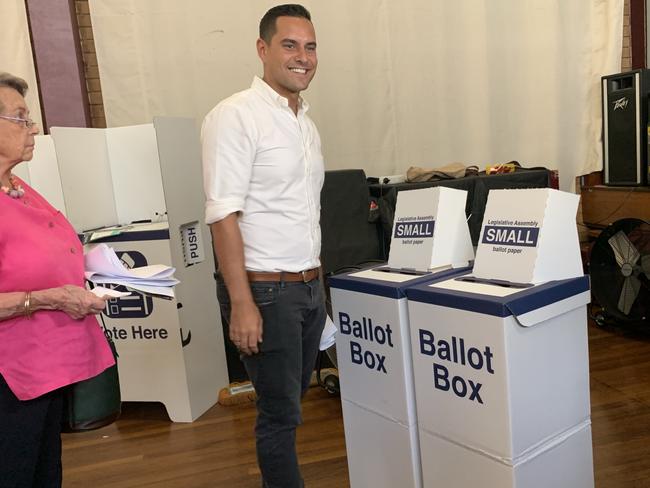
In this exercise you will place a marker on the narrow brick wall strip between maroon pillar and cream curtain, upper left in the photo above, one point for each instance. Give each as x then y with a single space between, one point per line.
93 84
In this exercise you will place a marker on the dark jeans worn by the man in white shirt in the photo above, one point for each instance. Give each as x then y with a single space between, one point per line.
293 315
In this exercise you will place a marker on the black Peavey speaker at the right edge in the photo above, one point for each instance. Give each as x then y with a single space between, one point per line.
625 127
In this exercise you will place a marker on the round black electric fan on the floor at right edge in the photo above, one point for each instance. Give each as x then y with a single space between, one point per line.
620 271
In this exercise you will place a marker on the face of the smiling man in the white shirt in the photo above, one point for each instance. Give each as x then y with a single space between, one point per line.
290 59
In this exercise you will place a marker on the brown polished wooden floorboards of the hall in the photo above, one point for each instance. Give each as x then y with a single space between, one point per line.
144 449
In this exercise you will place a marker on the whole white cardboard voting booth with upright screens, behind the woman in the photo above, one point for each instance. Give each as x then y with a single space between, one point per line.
169 351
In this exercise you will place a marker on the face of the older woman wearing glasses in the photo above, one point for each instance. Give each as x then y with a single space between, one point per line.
16 140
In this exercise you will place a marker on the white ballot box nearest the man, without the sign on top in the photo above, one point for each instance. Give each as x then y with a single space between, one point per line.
374 361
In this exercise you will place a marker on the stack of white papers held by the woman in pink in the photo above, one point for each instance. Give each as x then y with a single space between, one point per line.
103 266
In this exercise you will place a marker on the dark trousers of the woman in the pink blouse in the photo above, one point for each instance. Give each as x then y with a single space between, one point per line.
30 440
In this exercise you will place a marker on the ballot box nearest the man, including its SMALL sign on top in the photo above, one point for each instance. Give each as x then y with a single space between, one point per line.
373 341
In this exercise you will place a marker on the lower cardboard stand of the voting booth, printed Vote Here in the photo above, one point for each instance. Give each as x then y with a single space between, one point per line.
170 351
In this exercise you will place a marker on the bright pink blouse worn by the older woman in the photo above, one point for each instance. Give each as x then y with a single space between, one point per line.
39 249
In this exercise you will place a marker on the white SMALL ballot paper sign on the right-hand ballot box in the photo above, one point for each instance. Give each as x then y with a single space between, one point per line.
529 236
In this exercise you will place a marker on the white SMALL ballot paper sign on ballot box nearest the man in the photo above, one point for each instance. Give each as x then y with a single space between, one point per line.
430 230
